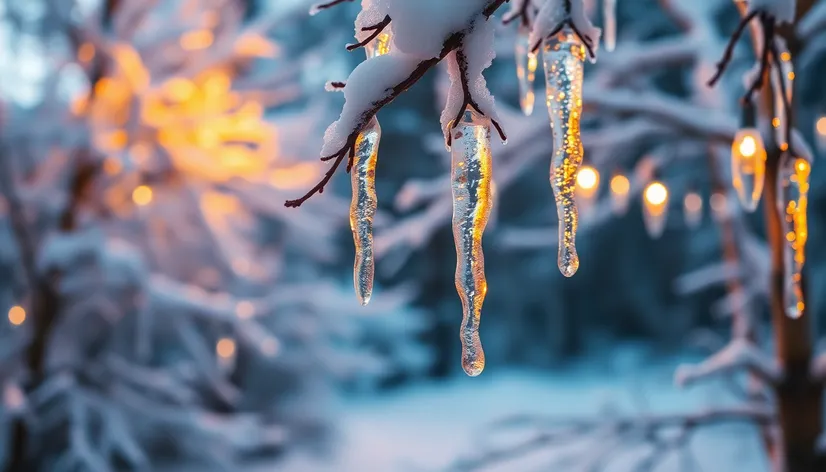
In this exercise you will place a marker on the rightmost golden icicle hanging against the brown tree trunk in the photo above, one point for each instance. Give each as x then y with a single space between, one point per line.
793 181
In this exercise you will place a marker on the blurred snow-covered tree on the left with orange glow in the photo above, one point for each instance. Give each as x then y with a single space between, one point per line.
162 304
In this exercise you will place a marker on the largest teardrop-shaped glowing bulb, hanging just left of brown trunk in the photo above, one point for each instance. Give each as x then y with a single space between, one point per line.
748 167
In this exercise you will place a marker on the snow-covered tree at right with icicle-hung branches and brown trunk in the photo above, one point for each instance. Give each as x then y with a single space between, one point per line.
748 134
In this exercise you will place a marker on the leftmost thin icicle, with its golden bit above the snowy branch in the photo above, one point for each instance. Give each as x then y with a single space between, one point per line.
364 202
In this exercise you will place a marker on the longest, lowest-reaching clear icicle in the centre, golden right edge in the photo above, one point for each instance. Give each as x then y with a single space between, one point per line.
471 182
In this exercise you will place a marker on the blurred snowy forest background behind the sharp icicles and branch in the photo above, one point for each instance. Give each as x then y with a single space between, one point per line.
166 312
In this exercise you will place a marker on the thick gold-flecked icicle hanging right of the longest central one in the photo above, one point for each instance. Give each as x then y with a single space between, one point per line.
564 58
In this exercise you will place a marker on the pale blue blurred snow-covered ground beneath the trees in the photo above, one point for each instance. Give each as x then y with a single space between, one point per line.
428 427
